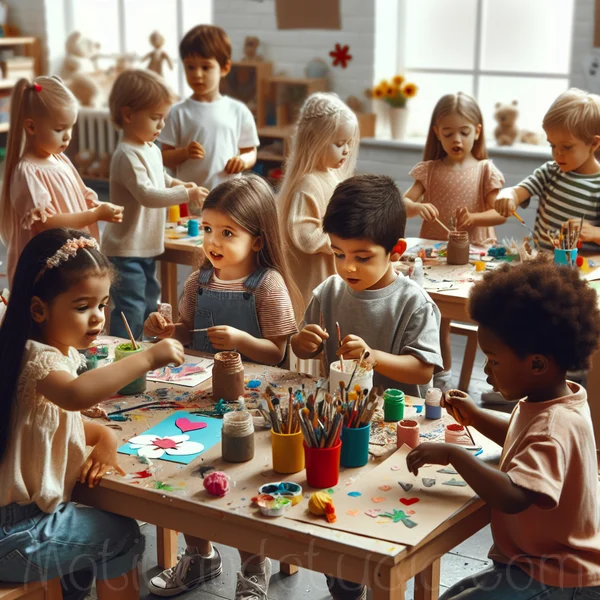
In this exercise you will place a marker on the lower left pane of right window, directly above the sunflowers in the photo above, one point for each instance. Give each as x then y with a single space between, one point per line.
432 86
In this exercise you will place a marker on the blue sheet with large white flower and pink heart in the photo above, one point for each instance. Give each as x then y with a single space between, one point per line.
180 438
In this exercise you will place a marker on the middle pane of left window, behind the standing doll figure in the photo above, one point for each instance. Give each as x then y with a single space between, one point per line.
142 17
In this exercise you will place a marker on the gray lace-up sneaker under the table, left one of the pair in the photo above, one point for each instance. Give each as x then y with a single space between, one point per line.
188 573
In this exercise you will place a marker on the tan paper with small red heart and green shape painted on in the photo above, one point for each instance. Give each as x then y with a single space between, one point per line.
389 503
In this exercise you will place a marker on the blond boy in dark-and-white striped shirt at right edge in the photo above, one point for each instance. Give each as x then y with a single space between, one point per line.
568 187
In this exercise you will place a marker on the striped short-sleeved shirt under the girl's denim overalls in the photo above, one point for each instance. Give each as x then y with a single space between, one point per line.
273 303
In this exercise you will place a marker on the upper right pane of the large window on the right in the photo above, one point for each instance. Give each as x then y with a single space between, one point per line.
532 36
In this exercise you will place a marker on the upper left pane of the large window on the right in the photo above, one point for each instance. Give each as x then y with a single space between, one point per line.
440 34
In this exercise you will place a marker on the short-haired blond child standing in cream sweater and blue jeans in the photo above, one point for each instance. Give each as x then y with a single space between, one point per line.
139 102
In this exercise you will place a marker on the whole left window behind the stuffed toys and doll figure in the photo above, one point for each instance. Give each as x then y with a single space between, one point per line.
124 26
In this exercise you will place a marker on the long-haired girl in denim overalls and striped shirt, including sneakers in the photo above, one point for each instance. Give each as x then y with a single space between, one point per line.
240 295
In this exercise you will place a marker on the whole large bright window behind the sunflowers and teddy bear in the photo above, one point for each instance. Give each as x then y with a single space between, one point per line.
496 50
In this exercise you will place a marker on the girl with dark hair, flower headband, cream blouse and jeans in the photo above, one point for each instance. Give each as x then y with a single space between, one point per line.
61 288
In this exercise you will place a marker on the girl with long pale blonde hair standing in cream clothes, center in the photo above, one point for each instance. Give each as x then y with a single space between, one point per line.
323 154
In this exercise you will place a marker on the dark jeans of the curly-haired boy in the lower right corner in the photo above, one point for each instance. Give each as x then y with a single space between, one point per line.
509 582
